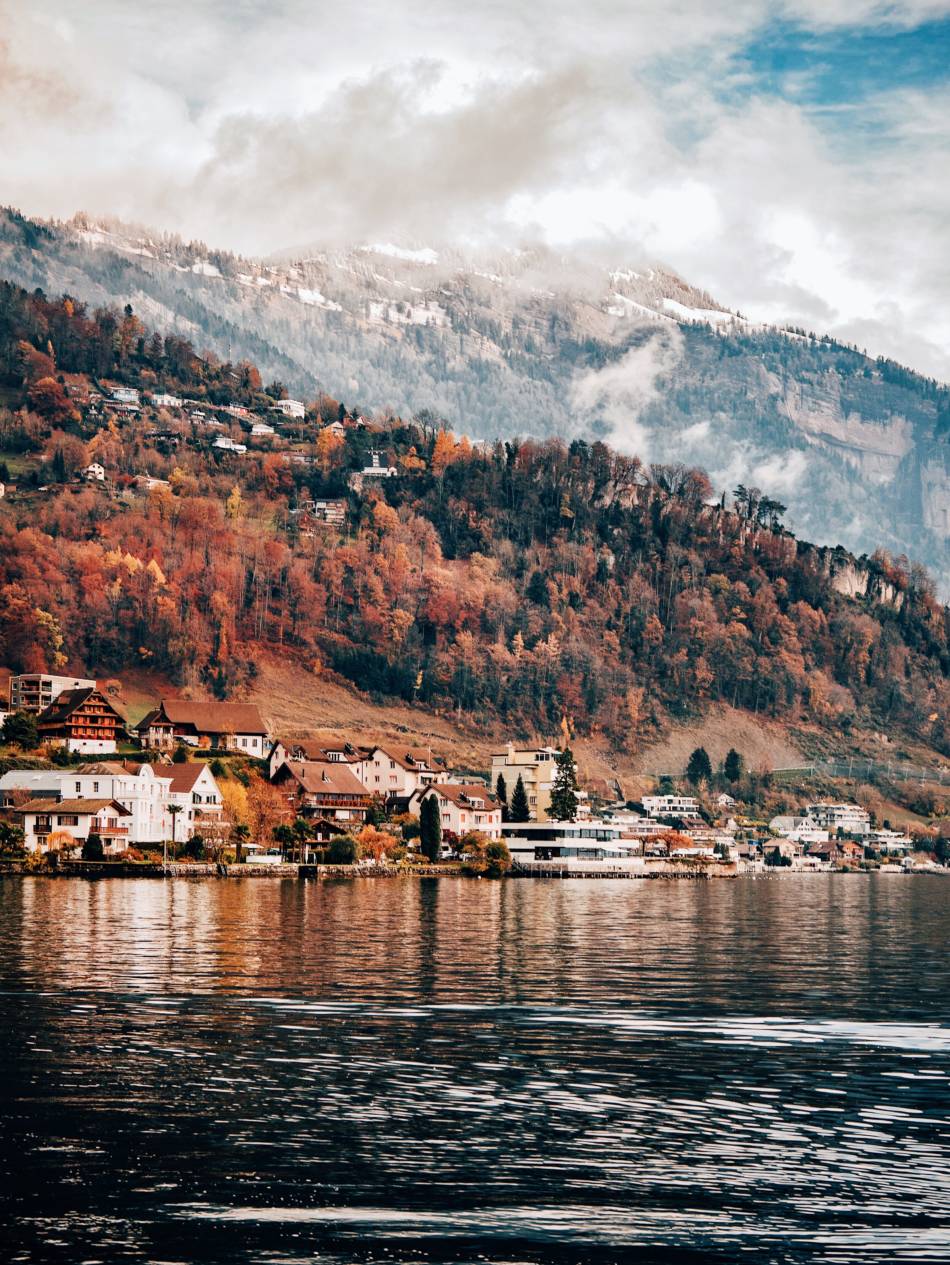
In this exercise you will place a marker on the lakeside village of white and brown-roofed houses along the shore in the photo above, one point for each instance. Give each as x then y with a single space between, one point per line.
199 781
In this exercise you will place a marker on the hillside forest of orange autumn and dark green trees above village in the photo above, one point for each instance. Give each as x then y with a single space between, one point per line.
523 581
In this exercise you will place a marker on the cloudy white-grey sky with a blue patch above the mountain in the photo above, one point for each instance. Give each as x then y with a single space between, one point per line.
793 157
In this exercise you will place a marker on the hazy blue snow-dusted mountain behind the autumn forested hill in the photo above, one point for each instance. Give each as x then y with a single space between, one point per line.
526 343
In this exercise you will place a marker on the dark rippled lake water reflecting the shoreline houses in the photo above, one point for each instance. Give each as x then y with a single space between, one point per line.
456 1071
